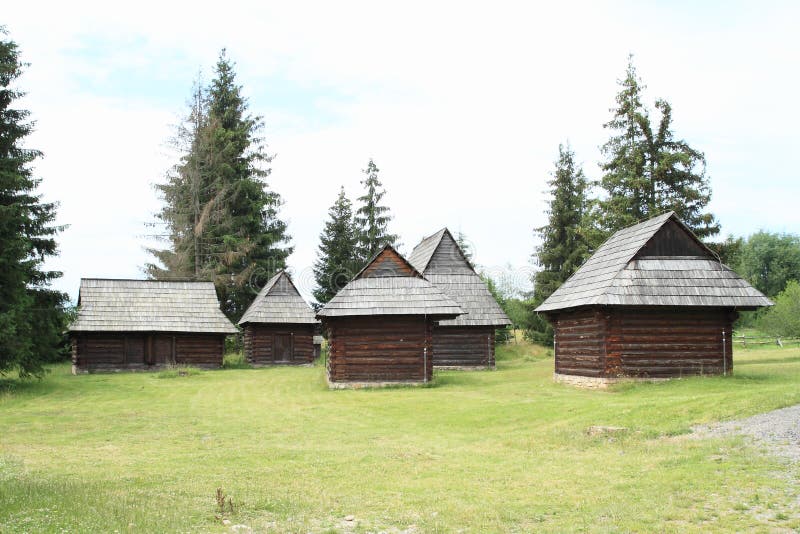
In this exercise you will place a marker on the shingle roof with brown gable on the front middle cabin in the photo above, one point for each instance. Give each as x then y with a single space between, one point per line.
389 285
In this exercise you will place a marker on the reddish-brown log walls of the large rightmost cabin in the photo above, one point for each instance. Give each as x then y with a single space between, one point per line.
643 342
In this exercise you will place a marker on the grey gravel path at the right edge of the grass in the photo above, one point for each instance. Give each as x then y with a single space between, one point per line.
778 431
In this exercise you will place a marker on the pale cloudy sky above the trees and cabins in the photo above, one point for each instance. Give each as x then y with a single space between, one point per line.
462 105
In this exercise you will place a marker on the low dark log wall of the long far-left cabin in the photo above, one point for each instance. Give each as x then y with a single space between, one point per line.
112 351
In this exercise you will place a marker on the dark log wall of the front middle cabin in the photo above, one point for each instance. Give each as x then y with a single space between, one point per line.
379 349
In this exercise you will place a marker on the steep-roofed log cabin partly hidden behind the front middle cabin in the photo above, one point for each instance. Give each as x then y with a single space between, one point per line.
466 342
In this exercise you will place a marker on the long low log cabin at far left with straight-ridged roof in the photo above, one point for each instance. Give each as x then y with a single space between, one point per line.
147 324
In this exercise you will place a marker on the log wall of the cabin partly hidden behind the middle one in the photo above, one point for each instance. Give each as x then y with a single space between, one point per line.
463 346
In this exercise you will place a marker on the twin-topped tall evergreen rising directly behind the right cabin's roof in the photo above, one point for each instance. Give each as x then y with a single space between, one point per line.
648 171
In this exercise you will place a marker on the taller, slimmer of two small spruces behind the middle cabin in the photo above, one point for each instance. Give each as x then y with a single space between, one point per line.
372 218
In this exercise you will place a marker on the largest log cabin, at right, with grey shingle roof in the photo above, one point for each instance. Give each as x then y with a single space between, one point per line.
652 302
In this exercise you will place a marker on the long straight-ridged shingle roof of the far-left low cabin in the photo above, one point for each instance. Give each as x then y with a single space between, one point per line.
149 306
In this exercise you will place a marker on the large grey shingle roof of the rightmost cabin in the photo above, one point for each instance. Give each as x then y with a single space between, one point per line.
658 262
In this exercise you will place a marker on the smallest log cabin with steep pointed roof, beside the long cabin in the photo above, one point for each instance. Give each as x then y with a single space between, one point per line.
279 326
